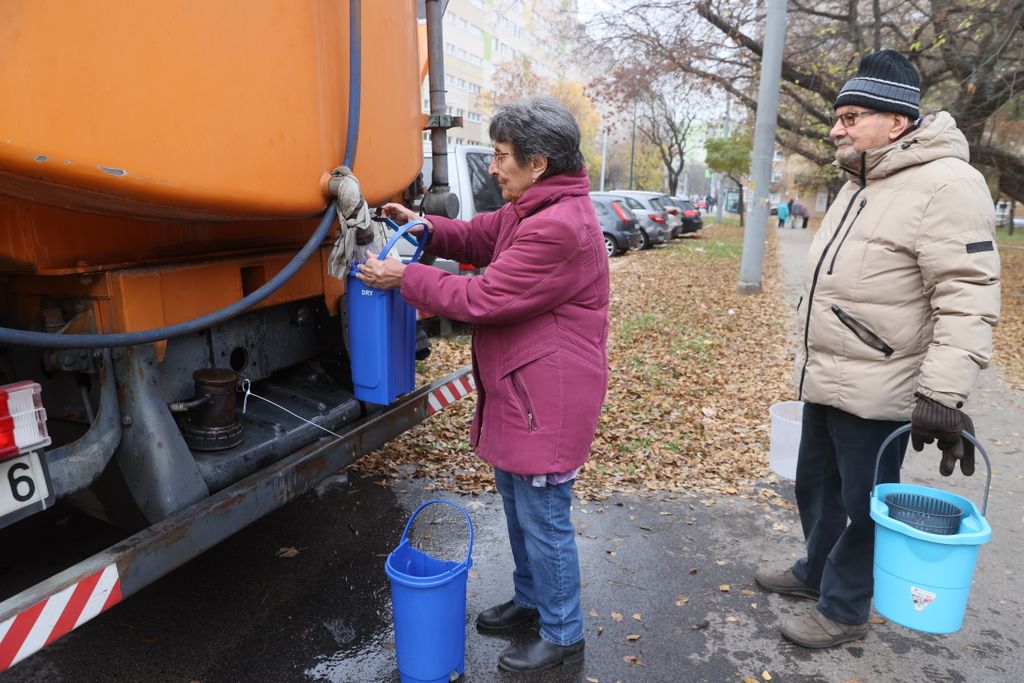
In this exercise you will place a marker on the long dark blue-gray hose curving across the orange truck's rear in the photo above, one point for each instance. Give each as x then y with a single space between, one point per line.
54 340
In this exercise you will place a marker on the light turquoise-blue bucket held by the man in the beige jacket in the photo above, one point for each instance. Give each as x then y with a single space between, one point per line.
923 580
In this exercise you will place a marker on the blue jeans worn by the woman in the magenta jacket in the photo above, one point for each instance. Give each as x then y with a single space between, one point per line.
547 566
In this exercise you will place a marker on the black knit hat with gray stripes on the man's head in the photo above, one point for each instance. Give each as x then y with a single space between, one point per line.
886 81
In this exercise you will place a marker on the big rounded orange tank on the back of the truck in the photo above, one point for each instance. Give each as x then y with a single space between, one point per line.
152 133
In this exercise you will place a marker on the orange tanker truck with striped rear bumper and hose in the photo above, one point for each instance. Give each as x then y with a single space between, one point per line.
164 239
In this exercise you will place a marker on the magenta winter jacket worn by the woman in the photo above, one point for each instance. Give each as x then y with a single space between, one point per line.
541 322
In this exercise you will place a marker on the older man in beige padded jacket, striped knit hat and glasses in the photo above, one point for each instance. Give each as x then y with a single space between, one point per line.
903 292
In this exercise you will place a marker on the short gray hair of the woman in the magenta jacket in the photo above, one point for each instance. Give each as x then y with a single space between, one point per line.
539 127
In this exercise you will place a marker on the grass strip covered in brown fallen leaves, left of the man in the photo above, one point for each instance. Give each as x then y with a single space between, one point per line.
694 368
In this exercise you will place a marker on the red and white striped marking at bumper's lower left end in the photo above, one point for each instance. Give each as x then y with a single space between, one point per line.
47 621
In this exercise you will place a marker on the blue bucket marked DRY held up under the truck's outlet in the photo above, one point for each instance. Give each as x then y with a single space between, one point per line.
382 332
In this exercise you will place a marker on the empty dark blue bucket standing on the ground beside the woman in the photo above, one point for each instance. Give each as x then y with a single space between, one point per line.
429 599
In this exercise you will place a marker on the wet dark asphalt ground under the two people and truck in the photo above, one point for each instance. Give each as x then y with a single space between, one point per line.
242 613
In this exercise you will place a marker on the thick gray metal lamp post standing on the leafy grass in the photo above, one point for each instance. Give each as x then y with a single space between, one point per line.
764 144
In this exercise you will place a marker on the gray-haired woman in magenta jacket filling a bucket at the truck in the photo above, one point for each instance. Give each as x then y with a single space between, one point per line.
541 324
